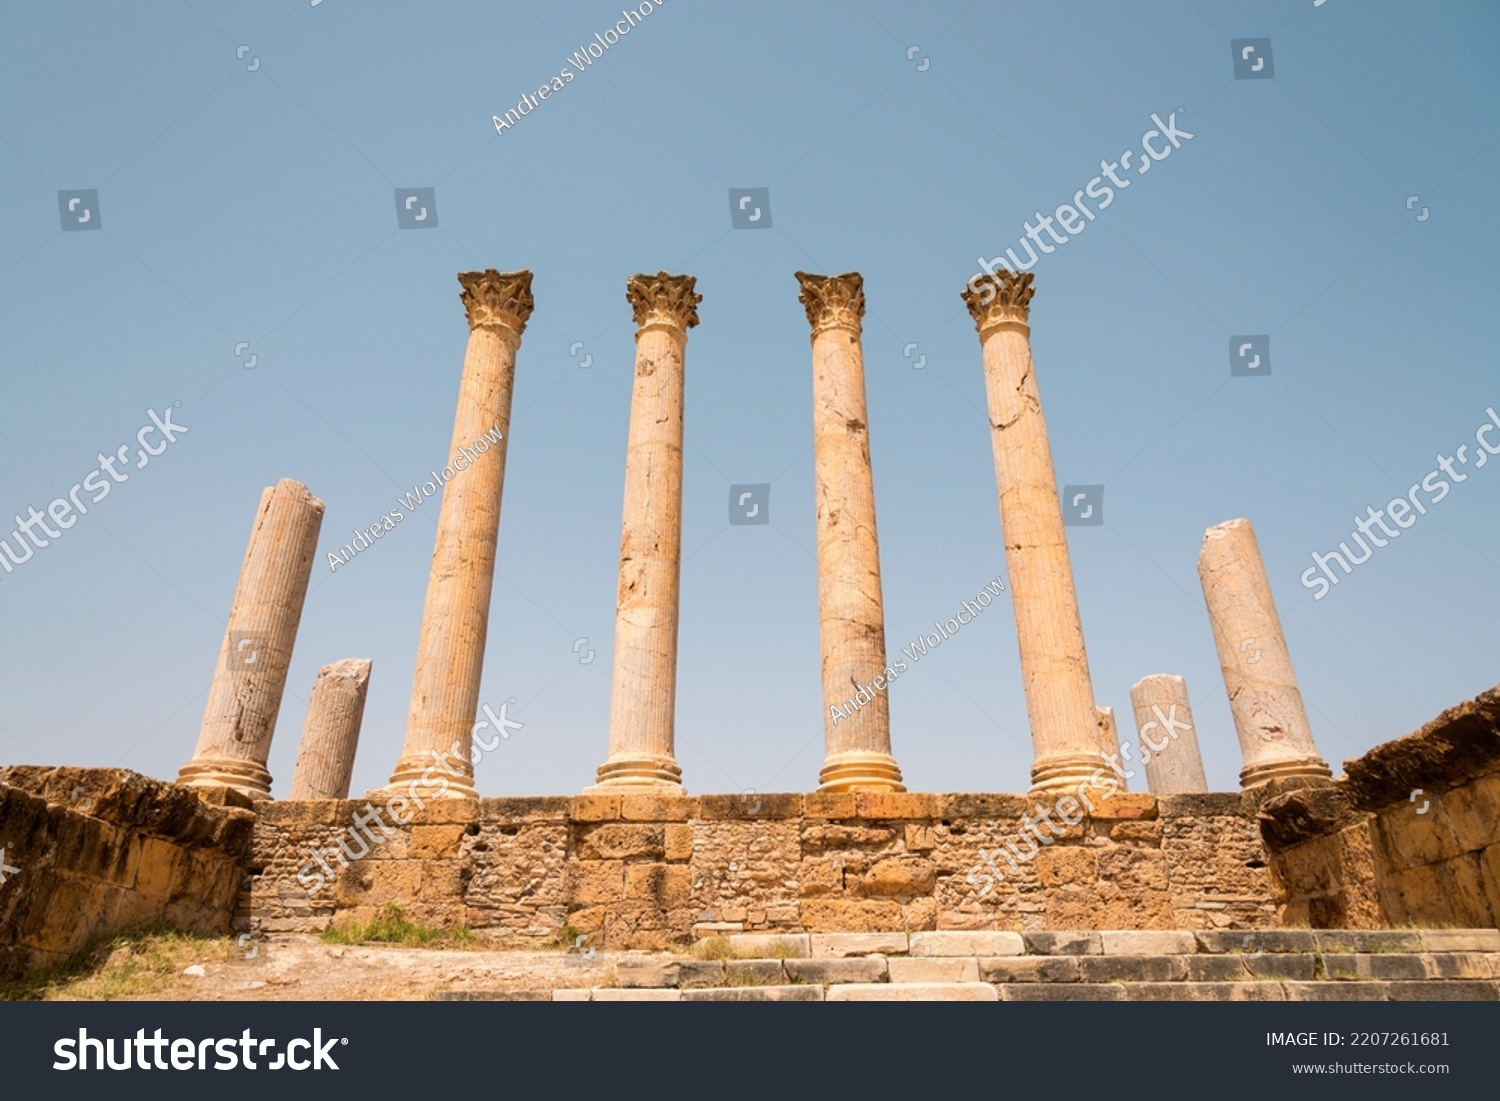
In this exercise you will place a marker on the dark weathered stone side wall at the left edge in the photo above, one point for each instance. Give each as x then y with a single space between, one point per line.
92 851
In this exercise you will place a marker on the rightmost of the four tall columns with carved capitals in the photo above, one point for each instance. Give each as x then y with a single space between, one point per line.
1055 668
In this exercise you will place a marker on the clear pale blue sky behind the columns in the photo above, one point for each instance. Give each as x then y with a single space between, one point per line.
250 196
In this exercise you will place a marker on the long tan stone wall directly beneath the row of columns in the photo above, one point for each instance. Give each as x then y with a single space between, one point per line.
641 869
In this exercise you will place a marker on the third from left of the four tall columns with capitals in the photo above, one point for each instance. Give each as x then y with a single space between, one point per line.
850 607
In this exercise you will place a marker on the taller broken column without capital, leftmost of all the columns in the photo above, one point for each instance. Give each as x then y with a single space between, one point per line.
248 683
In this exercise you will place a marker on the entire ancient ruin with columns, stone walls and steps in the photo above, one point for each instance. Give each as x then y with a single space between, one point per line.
1078 889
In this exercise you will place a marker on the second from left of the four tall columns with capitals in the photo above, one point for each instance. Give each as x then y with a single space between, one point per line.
643 698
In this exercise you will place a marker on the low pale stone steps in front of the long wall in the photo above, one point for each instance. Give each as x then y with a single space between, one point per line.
1276 965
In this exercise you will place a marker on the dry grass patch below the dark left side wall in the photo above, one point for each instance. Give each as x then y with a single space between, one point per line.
136 964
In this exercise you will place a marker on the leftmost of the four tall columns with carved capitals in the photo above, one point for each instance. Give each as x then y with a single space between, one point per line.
455 622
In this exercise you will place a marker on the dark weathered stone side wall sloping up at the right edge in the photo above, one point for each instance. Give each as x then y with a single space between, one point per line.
1411 836
